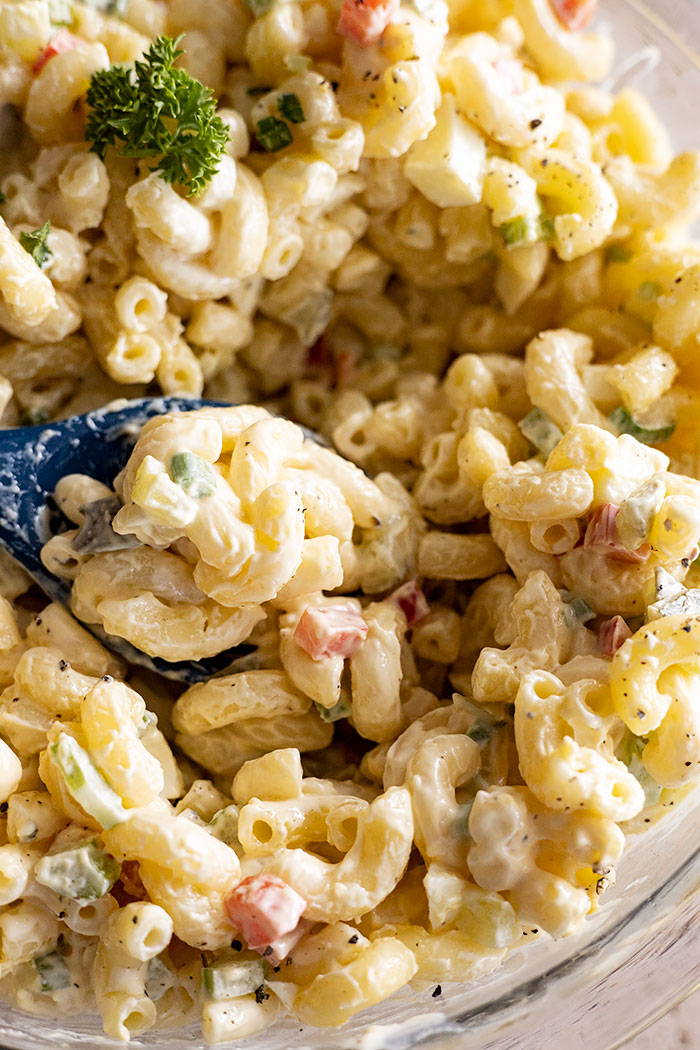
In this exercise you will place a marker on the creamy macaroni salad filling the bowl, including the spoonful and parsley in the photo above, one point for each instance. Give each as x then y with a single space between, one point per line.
470 606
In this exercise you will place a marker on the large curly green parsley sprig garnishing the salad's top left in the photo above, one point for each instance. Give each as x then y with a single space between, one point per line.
159 112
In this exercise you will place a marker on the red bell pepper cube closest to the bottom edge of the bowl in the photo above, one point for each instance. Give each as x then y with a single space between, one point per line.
264 909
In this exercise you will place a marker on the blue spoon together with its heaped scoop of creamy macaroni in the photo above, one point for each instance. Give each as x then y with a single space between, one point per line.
177 529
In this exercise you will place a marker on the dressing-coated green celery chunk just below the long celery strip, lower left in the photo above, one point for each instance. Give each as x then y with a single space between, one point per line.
83 872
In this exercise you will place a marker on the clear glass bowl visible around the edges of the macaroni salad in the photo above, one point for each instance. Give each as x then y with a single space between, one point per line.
641 954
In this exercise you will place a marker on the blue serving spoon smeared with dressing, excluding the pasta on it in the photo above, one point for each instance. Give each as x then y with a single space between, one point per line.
33 459
